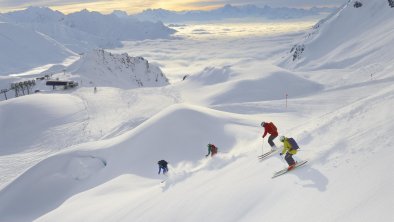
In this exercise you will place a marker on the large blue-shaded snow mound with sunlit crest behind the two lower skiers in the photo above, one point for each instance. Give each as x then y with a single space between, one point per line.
76 167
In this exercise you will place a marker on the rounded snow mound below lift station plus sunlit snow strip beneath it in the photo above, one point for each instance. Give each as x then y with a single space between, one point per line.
34 129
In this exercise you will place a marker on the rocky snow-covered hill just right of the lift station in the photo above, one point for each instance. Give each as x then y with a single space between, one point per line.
122 71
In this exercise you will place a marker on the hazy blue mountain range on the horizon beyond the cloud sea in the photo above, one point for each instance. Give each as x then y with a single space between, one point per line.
230 12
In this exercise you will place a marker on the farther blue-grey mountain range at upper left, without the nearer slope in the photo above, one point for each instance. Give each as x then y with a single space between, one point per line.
85 29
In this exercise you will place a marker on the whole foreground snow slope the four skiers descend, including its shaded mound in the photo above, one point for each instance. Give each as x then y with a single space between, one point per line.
122 170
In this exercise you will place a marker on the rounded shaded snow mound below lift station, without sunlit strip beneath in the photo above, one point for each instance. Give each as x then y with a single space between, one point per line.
40 111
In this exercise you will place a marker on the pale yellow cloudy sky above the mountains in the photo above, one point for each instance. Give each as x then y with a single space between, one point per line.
135 6
